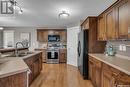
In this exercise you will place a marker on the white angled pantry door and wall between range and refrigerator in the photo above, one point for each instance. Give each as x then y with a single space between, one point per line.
72 45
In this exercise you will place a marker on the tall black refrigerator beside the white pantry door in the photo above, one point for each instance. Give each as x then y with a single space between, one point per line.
83 53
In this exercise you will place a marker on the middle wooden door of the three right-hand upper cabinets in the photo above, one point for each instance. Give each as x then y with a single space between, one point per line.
110 24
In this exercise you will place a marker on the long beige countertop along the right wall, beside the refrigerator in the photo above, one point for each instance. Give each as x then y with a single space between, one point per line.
117 62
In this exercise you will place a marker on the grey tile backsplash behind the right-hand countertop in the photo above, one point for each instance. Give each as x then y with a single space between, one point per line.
116 45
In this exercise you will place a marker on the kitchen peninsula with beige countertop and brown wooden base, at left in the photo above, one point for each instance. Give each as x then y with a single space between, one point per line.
19 71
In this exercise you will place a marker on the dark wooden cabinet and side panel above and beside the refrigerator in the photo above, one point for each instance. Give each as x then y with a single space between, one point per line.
95 46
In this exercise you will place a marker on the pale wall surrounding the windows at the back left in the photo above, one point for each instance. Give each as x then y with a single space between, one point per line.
31 30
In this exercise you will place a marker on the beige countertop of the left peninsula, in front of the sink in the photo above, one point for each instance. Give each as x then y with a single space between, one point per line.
13 65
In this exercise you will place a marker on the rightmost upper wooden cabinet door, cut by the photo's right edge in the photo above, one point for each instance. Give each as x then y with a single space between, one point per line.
123 18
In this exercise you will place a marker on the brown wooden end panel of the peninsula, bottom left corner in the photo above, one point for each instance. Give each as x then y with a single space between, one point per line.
17 80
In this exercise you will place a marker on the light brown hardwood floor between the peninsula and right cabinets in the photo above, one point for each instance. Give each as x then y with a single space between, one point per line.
60 75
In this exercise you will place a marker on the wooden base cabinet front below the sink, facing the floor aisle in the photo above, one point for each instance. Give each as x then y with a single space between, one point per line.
35 65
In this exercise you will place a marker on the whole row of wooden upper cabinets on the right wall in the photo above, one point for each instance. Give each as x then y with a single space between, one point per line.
116 20
